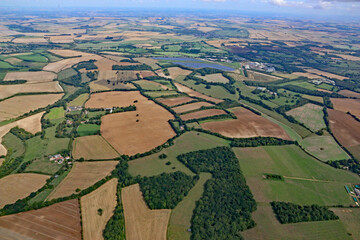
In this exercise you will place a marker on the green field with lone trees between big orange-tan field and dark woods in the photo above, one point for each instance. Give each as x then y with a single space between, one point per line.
190 141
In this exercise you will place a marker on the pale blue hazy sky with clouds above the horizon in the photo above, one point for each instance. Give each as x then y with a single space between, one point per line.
309 8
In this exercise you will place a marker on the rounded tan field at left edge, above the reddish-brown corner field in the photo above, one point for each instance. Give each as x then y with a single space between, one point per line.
18 186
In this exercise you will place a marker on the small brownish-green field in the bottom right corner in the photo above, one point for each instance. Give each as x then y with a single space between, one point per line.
350 218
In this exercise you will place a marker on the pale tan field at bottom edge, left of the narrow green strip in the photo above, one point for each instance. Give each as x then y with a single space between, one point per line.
140 221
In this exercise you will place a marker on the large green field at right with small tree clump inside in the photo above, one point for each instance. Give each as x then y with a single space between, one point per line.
306 180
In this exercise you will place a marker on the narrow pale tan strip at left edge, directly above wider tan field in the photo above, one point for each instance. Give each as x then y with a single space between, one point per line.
11 90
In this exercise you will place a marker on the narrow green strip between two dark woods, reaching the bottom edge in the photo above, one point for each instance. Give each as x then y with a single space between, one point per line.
181 215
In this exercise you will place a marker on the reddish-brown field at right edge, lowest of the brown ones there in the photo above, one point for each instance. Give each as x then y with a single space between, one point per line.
345 128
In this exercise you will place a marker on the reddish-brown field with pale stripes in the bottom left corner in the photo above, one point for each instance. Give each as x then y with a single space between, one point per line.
58 221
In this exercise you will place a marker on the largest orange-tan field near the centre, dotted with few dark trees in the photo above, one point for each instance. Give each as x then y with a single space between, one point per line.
150 121
